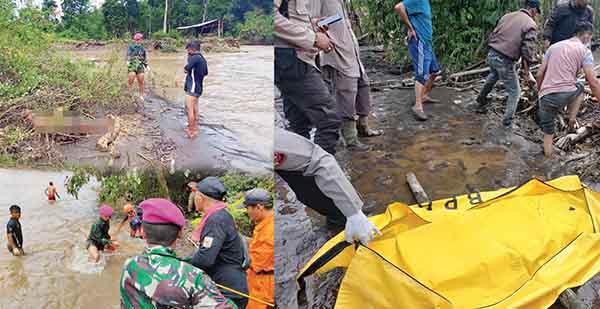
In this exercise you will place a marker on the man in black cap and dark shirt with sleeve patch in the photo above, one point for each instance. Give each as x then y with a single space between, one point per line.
220 253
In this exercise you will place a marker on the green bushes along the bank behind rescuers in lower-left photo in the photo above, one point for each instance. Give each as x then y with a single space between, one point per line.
141 185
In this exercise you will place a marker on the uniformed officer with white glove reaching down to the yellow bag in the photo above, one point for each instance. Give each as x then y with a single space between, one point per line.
319 183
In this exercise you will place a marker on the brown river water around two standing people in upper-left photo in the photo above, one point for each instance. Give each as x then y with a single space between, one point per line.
236 112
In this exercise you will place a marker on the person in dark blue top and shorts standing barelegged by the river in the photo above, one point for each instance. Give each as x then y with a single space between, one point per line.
195 70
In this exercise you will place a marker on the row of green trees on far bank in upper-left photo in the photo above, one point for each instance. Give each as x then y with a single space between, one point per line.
121 18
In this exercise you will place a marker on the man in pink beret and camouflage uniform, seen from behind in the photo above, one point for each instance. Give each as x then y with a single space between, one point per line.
158 278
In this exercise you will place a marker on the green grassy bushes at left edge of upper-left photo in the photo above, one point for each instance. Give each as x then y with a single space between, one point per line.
35 78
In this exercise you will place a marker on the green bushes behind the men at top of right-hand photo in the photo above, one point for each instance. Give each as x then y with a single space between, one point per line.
460 27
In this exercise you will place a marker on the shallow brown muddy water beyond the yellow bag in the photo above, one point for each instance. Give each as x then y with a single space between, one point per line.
455 152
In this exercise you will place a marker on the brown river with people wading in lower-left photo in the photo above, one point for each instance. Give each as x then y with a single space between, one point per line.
55 272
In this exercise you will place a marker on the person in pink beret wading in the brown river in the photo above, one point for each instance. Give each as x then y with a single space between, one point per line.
99 239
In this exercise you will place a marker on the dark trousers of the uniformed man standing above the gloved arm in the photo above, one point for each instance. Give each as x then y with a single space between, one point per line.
307 102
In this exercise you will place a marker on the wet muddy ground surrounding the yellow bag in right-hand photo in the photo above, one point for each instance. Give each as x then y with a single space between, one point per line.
455 152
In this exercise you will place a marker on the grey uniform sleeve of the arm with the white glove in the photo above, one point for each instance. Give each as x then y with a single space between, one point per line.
301 155
